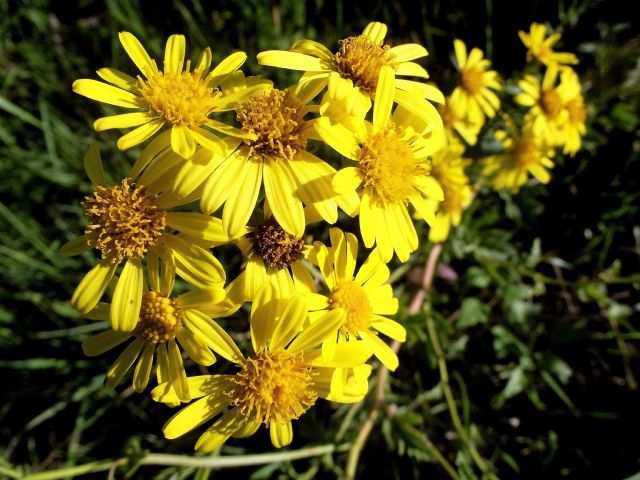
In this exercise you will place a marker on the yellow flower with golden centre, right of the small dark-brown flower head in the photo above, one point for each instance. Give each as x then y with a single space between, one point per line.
362 298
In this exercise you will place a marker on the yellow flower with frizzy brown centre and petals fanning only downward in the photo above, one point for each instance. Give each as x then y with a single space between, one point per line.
276 158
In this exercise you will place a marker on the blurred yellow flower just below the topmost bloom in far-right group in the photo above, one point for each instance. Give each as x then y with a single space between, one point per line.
547 116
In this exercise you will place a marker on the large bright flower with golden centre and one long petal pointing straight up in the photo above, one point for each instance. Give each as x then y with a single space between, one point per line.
392 170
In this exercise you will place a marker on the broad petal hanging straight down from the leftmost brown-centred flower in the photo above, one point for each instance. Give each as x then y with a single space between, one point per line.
127 297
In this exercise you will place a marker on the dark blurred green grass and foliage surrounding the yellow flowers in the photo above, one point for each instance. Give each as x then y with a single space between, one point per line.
535 304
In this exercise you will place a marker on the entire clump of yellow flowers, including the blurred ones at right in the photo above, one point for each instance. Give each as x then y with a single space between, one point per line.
398 155
